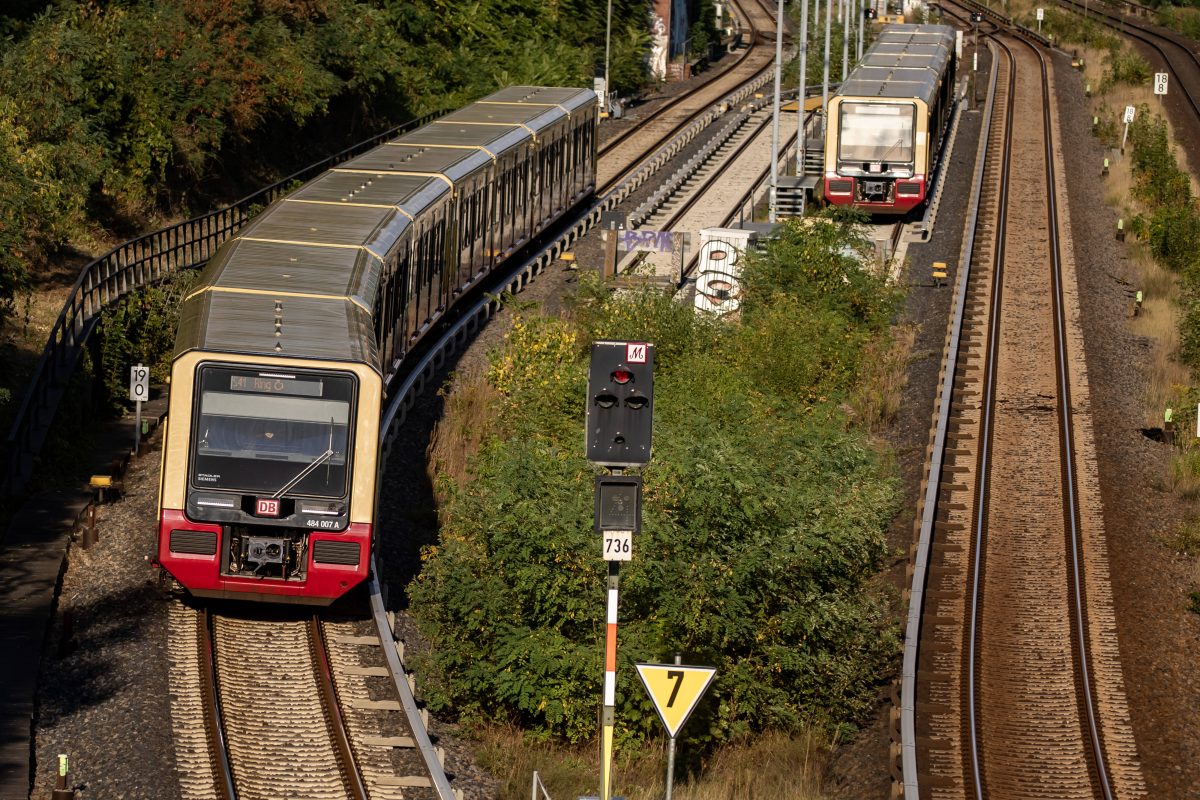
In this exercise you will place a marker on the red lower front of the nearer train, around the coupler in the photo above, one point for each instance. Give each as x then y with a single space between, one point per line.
278 564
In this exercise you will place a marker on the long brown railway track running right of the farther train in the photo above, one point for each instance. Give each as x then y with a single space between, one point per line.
1012 682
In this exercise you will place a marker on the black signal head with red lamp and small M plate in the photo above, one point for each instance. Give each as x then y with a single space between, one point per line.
621 398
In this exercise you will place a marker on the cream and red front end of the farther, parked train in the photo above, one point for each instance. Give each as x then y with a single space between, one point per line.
879 155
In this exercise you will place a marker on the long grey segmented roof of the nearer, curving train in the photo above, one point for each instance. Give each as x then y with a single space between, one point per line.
319 254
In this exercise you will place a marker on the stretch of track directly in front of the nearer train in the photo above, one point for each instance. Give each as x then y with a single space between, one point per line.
285 707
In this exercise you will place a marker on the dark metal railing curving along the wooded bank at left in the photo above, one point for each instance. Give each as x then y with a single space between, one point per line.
137 263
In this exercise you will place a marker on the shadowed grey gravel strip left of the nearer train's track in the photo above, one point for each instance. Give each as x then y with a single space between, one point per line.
104 697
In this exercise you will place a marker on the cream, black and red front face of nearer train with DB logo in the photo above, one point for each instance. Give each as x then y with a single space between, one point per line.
269 478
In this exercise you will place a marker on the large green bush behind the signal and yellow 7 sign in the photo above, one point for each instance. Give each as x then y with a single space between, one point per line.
764 518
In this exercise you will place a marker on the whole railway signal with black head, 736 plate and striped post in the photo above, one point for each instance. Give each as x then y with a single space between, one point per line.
617 436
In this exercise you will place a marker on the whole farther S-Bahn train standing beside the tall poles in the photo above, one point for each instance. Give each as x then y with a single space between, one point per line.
886 125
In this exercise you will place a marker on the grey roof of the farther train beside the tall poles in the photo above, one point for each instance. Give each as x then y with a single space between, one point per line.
907 62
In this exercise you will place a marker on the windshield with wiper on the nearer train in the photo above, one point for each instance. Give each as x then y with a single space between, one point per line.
272 434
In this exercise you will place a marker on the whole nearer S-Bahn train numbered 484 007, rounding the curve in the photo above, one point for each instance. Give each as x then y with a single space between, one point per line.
289 342
